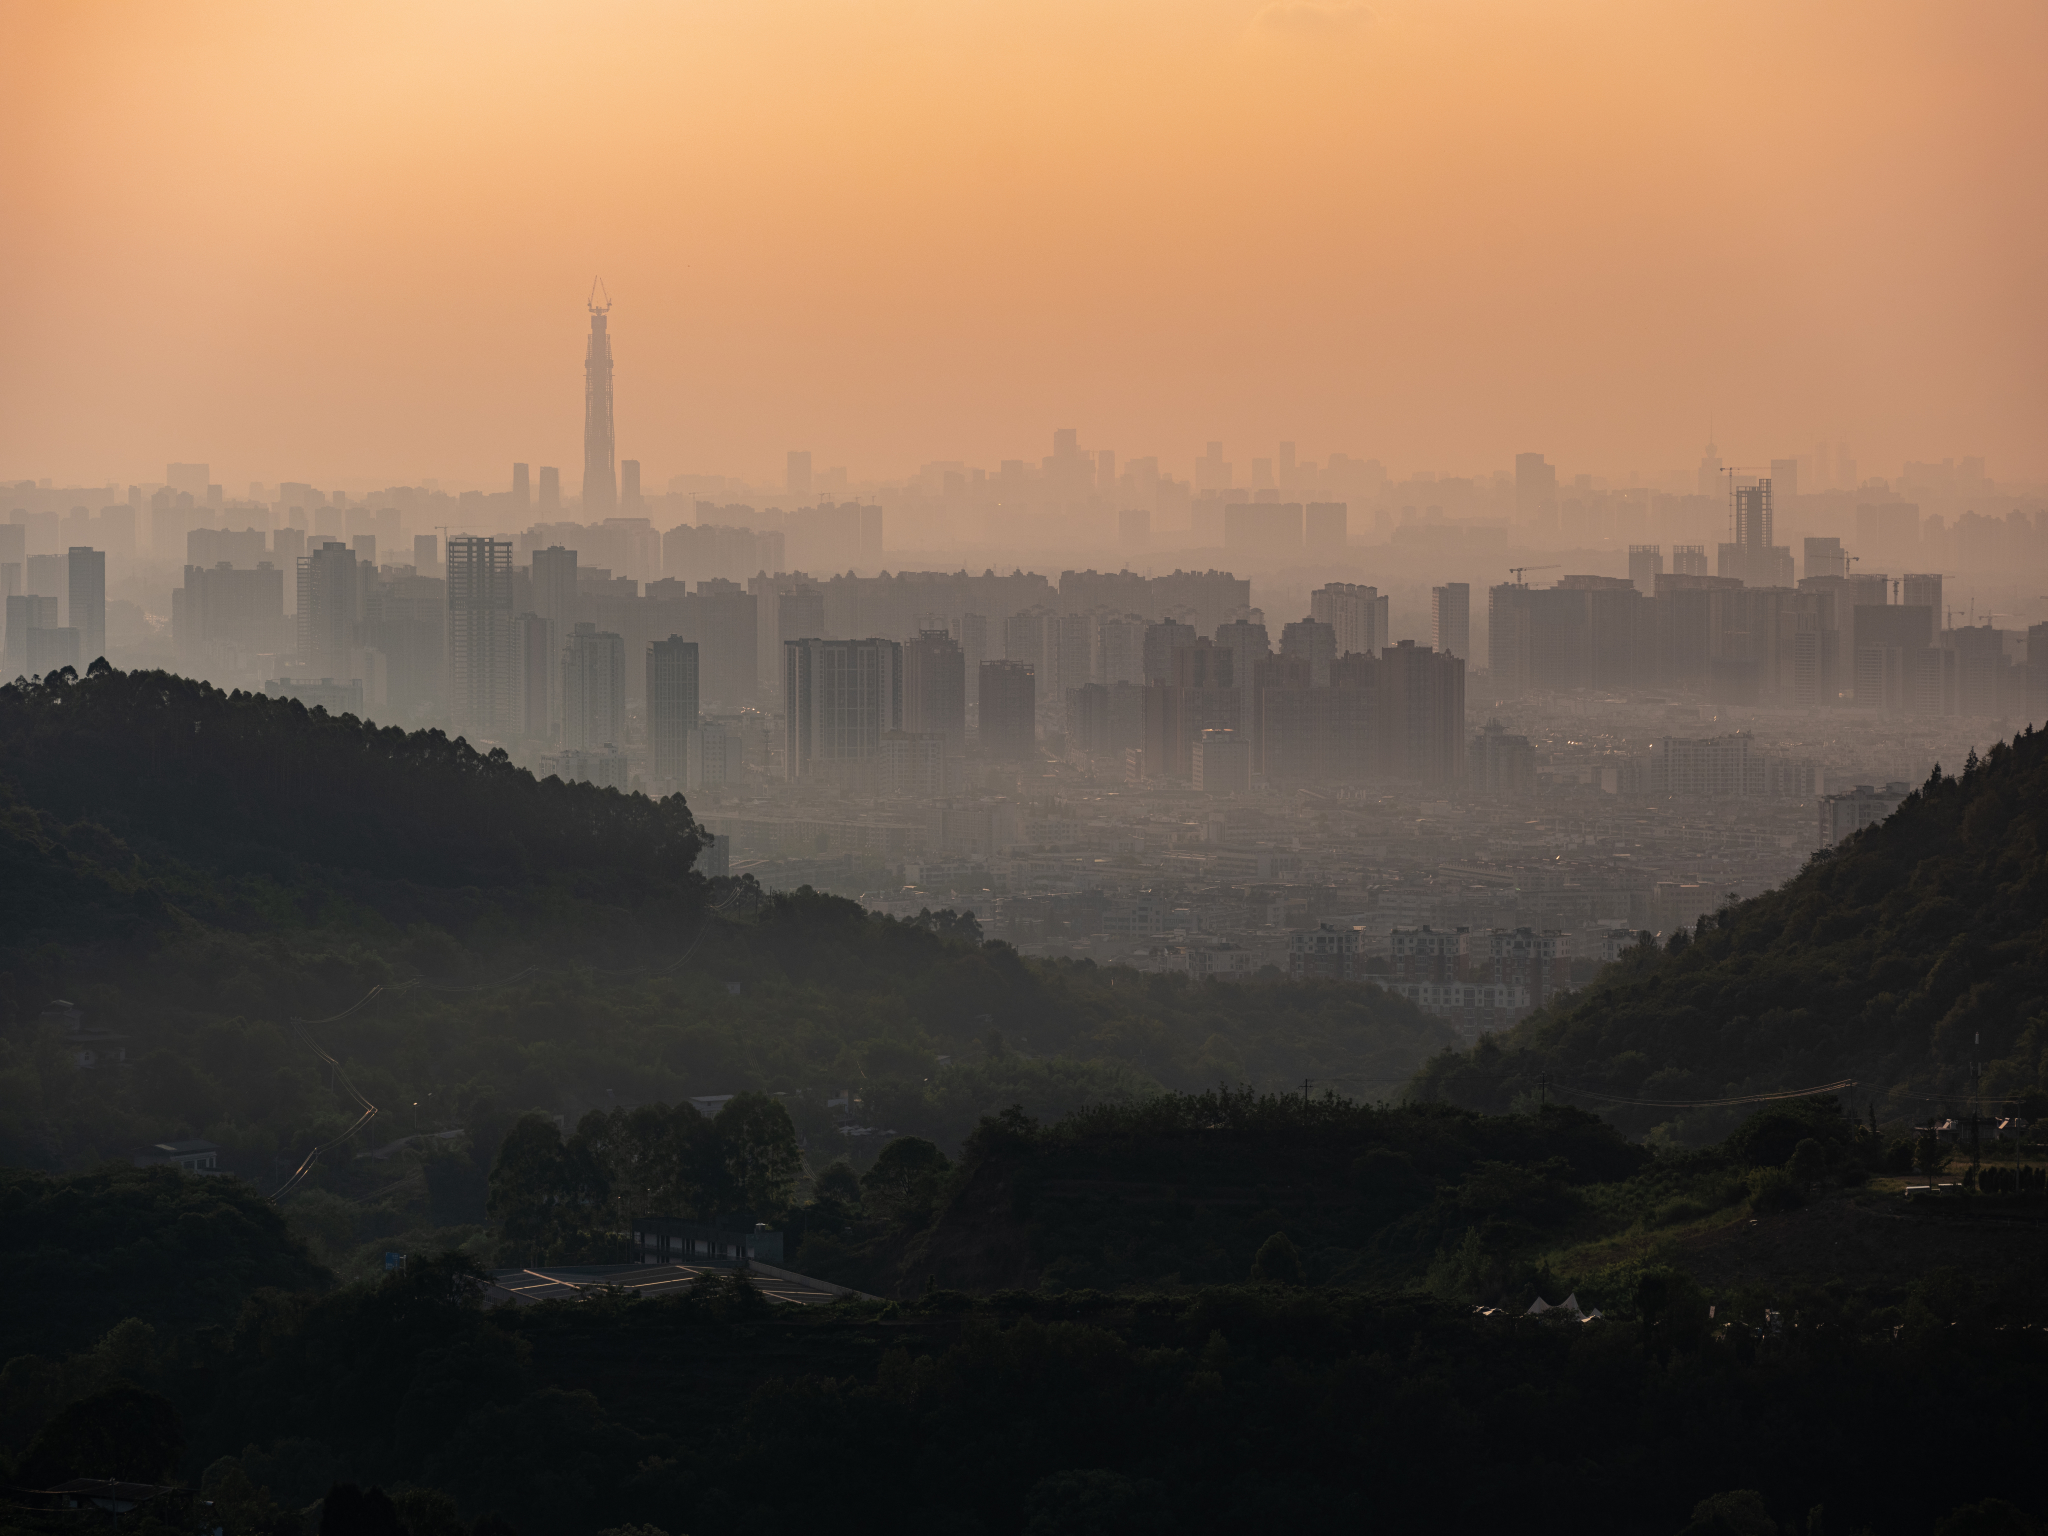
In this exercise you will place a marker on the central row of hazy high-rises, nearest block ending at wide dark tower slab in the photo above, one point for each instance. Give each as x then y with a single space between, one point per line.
1150 697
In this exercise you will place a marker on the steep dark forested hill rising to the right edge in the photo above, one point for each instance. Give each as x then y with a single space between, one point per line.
1902 959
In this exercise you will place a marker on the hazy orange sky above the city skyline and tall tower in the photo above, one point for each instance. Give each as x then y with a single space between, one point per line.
349 243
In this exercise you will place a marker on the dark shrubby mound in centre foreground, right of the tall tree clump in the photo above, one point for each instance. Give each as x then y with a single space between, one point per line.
1187 1191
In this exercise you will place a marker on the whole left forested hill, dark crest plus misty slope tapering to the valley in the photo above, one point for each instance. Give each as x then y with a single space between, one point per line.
198 869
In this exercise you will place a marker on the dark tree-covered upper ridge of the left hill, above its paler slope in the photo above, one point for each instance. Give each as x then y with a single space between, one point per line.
265 802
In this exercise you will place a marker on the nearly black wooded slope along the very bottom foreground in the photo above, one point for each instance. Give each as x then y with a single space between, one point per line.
1027 1414
